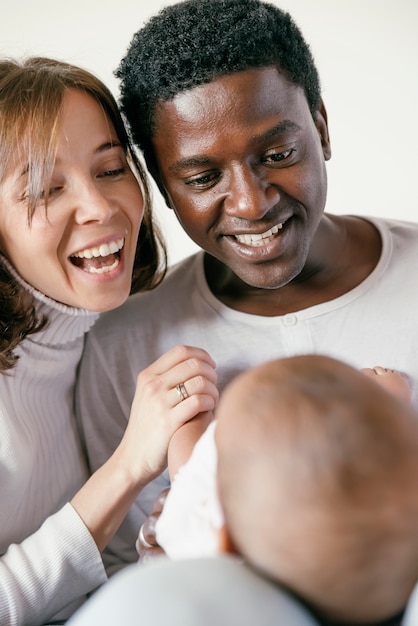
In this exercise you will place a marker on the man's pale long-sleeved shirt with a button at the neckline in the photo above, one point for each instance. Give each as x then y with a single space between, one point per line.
374 324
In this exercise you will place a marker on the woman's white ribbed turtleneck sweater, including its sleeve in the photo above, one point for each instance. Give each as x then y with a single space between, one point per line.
49 559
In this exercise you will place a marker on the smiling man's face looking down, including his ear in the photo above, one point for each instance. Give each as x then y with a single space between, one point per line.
242 163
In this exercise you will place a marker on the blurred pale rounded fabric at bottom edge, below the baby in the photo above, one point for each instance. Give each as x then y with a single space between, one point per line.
202 592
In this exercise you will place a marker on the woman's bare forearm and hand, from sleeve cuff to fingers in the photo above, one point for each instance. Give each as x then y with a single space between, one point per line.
157 413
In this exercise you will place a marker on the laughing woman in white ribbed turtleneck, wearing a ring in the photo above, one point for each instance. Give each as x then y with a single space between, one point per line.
72 199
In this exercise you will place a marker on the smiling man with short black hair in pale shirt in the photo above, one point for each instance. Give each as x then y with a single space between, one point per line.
224 99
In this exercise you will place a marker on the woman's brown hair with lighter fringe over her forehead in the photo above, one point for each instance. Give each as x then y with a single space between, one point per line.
31 98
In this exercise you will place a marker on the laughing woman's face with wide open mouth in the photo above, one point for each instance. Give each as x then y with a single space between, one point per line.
81 250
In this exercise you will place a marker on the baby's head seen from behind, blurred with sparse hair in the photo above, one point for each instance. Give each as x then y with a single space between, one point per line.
318 478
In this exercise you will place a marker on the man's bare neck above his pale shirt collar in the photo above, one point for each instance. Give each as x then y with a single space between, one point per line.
350 254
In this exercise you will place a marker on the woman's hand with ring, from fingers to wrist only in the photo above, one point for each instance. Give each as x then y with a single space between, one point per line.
173 390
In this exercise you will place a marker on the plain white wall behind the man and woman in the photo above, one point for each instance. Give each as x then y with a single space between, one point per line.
367 54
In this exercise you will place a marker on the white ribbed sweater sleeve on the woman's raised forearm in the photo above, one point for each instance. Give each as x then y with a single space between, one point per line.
53 568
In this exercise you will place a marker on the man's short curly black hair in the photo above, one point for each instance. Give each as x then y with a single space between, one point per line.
197 41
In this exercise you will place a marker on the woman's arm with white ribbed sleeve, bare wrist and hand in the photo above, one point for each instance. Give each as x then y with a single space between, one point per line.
61 562
